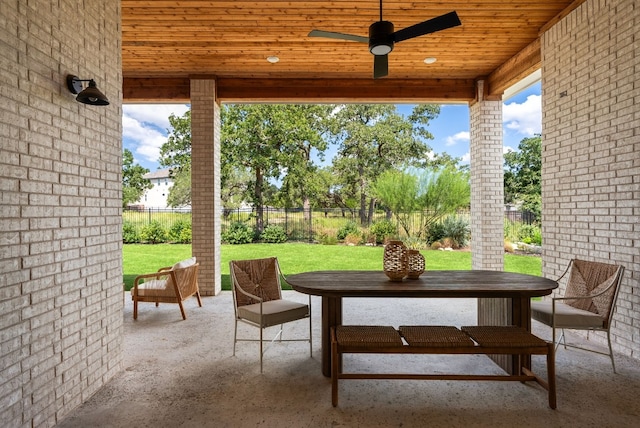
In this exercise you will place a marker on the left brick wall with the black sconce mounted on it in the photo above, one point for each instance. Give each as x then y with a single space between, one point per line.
60 199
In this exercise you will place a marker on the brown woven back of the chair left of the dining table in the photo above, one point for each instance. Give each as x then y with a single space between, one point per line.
260 277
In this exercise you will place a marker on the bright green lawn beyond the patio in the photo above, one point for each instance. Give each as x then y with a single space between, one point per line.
299 257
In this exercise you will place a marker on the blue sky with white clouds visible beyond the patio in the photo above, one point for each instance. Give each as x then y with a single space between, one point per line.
145 126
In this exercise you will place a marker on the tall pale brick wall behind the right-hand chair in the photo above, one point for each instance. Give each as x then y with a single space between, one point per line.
591 149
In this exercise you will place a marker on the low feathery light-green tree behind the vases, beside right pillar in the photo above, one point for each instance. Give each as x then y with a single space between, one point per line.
435 192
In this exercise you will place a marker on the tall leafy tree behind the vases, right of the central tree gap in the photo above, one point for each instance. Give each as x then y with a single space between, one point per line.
373 138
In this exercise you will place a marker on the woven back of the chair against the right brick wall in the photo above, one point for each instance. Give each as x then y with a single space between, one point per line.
590 278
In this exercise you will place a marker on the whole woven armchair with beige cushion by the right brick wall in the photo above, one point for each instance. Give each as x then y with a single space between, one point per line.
588 302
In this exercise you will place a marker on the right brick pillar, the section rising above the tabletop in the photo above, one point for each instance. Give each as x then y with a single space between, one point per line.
487 184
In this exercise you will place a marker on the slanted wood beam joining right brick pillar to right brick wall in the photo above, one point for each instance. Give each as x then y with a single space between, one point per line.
514 69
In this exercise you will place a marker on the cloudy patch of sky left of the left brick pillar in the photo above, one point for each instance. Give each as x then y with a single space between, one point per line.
144 127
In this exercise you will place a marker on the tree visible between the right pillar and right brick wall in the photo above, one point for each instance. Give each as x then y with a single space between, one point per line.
522 169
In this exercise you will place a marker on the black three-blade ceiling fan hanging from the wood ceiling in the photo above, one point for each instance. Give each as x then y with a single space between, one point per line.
382 37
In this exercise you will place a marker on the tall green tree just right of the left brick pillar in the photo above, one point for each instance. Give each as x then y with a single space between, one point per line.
272 141
